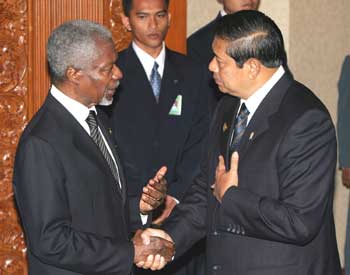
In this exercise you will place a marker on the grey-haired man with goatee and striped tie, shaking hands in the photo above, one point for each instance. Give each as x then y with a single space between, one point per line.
68 181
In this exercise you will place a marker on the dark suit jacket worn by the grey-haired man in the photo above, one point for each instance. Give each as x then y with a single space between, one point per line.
74 214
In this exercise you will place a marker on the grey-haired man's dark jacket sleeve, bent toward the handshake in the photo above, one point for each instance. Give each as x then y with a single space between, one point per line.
39 184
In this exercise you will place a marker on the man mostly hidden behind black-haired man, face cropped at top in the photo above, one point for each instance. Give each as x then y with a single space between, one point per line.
199 43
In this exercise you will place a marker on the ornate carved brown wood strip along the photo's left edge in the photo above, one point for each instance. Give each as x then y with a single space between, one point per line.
13 96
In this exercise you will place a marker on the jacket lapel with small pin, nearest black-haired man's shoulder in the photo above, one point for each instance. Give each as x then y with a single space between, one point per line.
260 121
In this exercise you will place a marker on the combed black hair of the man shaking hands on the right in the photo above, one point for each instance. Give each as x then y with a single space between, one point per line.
252 34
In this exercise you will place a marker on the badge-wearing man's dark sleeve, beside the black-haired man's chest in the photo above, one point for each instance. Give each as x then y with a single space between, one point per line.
189 162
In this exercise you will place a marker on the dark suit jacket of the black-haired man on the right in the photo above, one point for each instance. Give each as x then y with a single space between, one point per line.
279 220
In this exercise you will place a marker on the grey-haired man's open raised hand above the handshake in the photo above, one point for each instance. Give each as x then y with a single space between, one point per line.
154 192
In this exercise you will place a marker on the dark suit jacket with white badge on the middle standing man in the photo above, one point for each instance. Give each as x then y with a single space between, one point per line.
147 136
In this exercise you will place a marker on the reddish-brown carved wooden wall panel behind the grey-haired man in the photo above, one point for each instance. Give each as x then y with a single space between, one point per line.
24 28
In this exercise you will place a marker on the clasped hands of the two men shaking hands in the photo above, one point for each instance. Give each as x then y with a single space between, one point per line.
153 249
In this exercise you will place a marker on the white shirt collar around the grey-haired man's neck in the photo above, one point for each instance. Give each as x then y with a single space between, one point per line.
79 111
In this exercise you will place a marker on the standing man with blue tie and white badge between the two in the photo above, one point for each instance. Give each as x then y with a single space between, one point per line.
160 115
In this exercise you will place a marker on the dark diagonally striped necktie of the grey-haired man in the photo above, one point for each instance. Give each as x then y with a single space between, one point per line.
97 138
